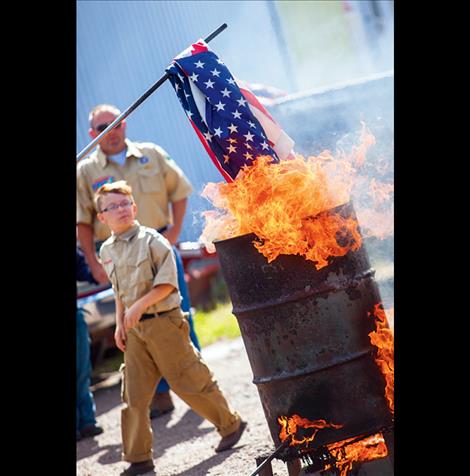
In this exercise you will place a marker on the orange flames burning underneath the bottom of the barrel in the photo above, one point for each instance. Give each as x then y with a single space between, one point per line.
346 453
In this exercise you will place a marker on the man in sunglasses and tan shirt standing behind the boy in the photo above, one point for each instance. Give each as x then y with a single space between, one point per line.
160 190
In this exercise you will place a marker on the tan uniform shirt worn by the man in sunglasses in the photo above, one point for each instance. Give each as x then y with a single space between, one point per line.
155 179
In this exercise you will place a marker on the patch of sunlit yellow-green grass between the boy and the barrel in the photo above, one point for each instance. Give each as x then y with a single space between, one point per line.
216 324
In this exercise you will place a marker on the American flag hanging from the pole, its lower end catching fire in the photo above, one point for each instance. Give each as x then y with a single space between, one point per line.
229 120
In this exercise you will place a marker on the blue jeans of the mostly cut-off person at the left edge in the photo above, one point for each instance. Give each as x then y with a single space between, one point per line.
85 403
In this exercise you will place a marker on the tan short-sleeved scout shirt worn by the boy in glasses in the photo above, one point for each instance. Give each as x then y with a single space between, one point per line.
138 260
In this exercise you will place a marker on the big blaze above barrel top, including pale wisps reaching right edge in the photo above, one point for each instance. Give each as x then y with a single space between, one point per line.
288 205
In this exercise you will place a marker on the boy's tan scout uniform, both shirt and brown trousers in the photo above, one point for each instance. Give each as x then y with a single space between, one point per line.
159 345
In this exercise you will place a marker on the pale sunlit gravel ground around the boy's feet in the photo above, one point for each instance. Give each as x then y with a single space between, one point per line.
183 442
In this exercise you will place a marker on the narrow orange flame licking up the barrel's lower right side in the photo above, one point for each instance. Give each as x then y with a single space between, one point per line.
382 338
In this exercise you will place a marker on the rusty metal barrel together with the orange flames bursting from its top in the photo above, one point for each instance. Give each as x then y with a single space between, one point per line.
308 307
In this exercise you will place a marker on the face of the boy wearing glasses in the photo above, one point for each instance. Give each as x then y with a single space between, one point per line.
117 211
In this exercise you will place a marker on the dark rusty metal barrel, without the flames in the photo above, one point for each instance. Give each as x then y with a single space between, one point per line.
306 336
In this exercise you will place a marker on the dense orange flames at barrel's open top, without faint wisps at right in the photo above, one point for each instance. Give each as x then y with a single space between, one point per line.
282 204
